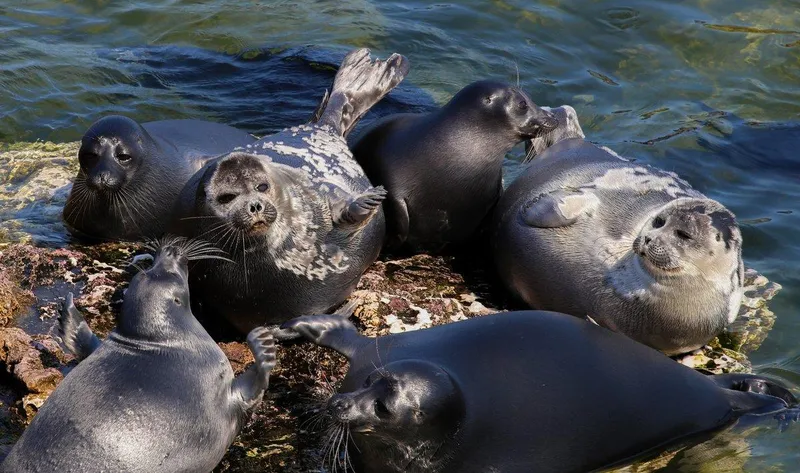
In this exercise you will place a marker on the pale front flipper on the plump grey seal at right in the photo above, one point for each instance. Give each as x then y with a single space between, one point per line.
558 208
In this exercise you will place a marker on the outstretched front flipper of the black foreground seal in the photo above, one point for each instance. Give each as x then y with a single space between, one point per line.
331 331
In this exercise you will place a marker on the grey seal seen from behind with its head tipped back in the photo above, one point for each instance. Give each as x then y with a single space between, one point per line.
158 395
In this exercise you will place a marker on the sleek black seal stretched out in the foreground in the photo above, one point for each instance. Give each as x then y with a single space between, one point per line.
525 392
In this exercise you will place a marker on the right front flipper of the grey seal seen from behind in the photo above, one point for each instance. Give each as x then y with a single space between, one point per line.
248 388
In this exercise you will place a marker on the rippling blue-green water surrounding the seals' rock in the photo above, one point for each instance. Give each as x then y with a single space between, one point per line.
708 89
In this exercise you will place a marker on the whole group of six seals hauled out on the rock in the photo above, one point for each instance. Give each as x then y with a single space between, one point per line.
292 221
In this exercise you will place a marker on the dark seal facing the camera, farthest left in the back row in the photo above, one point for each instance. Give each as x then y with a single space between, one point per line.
131 174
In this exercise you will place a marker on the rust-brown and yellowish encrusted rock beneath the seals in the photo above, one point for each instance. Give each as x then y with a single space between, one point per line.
38 266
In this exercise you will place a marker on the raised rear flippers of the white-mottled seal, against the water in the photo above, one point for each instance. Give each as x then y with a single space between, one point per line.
359 84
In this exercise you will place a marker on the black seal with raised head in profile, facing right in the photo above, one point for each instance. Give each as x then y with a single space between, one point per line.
443 170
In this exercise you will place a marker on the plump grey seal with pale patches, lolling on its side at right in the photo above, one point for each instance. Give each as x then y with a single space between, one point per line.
586 232
